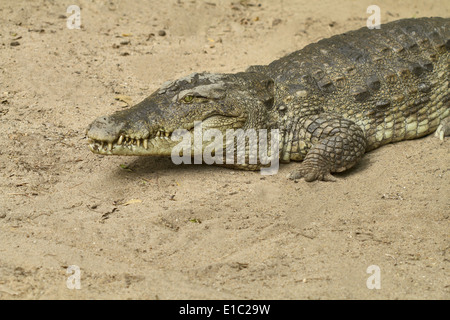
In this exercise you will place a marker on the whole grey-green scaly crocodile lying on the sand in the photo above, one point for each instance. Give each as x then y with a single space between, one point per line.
331 102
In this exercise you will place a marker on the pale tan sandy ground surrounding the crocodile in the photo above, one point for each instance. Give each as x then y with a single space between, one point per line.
145 228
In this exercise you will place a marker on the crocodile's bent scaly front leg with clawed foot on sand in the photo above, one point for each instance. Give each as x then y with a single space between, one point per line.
335 144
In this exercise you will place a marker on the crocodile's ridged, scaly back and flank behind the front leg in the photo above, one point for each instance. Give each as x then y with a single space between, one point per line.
393 81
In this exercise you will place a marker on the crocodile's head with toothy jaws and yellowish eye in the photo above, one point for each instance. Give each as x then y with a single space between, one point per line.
219 101
